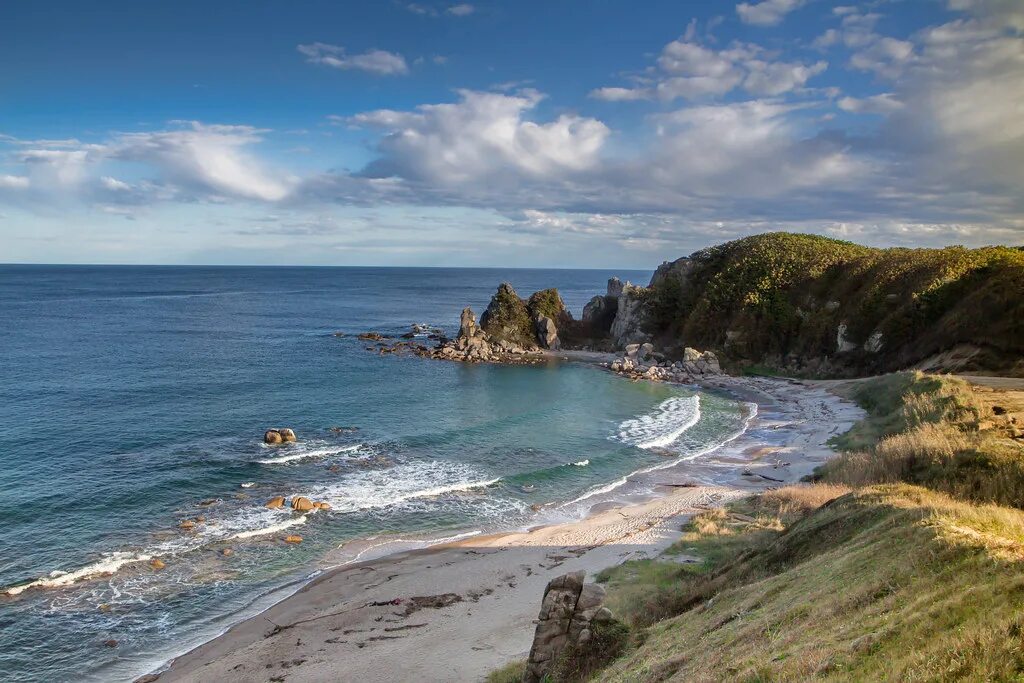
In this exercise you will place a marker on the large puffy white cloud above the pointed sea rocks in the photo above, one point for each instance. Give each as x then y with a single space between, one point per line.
484 135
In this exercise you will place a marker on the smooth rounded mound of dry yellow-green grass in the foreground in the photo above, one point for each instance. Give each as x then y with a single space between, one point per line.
891 583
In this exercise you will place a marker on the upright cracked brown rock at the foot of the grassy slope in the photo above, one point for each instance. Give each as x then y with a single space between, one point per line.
570 609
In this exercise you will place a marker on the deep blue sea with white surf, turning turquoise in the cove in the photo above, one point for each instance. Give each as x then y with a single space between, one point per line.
137 398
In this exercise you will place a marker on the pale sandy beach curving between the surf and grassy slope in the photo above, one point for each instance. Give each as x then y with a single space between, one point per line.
457 612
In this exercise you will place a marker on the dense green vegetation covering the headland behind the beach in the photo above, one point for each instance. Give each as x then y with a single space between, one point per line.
779 300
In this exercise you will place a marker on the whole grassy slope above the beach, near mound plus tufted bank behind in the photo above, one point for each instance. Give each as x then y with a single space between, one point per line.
889 582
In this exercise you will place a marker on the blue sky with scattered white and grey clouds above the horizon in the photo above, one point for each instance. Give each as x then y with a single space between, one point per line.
559 134
